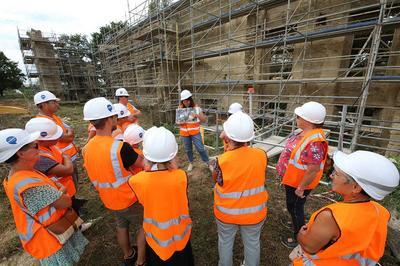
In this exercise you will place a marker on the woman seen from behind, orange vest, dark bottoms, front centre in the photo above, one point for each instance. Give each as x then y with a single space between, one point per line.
163 194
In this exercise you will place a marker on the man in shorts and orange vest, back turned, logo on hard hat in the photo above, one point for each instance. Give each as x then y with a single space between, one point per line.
109 164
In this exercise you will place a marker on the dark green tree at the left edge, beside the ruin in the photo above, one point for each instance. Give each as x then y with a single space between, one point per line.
11 76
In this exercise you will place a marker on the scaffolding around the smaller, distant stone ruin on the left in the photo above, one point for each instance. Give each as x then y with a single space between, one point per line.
58 66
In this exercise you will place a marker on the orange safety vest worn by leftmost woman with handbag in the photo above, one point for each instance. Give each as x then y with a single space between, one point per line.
35 239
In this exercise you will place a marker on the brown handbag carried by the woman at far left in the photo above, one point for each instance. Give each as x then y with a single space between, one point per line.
66 226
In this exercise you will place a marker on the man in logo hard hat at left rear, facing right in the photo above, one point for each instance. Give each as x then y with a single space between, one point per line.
48 105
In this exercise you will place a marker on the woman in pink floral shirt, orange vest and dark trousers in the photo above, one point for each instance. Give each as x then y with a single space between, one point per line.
301 164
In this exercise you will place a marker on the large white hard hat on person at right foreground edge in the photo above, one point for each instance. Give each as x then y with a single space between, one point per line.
375 174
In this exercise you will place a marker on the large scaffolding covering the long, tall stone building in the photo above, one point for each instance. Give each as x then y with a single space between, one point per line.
344 54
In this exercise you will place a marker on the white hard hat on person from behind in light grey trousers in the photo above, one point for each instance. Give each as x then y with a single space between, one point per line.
239 127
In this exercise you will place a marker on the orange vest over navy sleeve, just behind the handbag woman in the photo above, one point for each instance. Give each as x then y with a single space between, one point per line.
55 154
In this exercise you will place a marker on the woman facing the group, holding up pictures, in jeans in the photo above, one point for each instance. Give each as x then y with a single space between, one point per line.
190 131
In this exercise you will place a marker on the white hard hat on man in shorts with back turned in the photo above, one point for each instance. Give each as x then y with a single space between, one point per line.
98 108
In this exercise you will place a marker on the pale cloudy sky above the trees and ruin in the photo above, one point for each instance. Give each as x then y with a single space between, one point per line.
57 16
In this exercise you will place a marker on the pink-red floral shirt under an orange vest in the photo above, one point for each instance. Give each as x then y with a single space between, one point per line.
314 153
